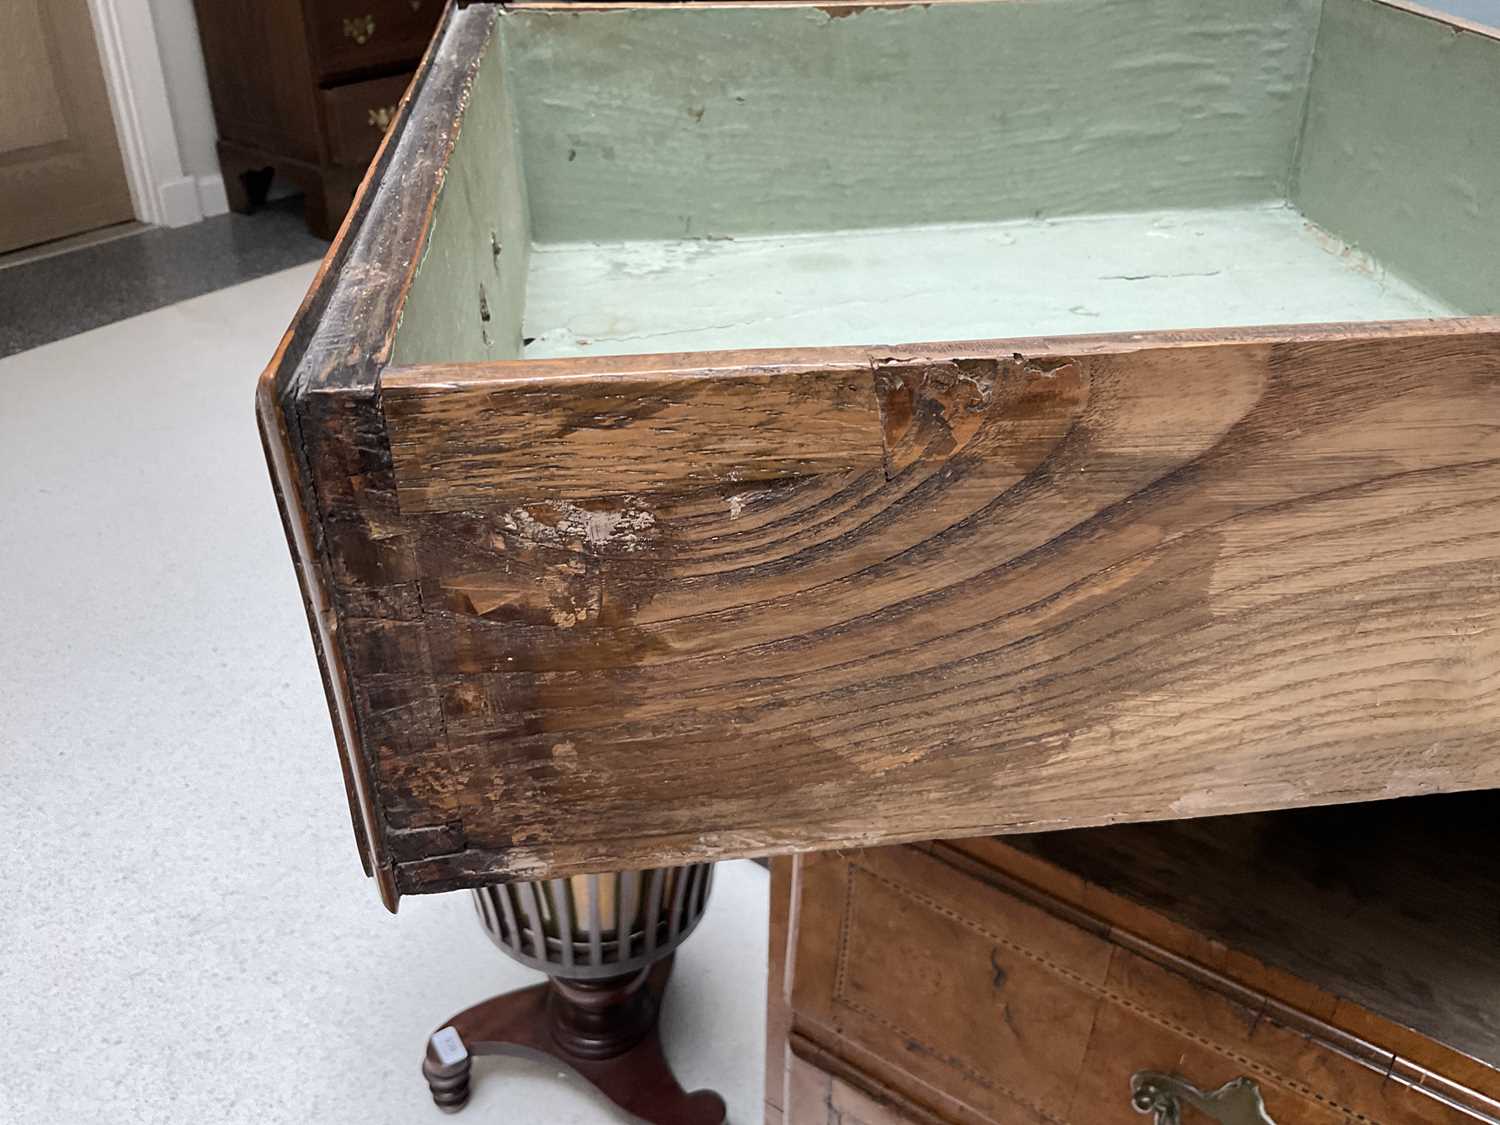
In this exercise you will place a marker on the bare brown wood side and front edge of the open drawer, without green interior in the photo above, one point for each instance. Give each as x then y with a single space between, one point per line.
596 614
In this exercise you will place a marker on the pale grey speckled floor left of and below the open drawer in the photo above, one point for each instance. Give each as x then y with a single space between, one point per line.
185 932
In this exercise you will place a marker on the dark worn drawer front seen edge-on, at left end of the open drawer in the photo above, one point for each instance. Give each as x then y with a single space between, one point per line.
320 421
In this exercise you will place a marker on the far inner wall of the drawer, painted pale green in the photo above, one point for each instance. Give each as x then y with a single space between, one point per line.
668 124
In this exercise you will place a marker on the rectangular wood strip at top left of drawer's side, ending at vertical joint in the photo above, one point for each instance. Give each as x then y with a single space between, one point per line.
466 446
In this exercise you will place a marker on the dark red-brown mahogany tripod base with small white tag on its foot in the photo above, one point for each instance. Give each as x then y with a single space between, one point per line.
605 1031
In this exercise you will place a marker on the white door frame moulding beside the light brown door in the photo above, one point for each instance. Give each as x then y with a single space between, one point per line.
161 191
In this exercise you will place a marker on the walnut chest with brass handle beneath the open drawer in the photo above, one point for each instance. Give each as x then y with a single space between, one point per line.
1345 962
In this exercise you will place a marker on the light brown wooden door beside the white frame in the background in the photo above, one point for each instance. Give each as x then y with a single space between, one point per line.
61 170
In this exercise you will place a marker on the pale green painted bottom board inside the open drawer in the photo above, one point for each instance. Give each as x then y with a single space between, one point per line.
1169 269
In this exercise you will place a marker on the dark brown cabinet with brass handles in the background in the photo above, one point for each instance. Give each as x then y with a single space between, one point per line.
305 89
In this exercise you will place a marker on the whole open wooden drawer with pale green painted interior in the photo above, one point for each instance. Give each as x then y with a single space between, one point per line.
634 532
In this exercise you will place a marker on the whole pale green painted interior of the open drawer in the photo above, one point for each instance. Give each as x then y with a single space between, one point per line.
725 178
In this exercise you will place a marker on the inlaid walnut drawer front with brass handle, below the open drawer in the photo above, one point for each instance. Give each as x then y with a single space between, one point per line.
970 995
